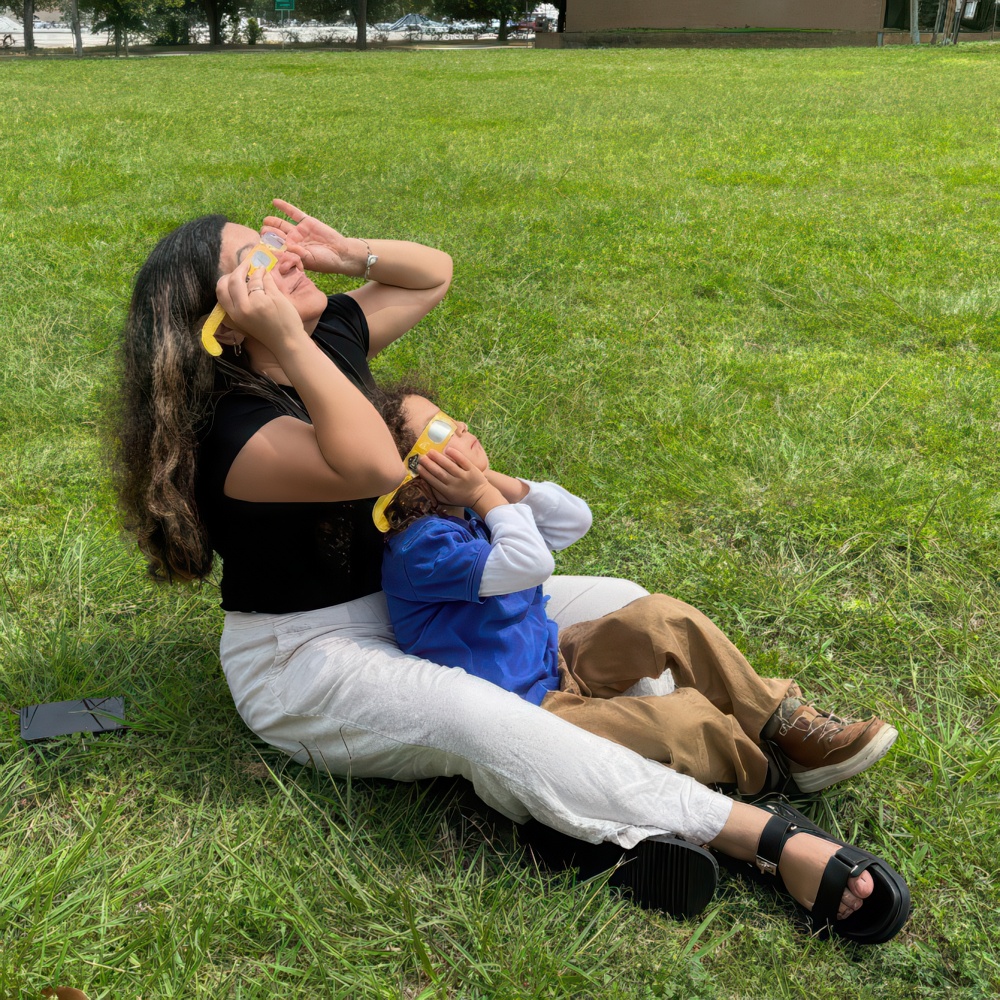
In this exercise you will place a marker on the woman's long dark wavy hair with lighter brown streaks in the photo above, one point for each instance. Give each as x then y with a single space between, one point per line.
167 386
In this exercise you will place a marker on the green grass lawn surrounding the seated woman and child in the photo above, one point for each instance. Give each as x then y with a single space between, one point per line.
746 303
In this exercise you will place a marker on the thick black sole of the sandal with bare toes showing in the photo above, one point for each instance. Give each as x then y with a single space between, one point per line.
881 916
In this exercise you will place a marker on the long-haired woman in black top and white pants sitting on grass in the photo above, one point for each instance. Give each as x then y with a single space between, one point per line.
272 455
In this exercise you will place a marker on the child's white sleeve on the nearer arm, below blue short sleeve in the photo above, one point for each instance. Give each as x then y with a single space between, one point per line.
520 558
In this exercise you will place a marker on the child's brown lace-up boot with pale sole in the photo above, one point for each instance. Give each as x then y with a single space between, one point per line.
822 749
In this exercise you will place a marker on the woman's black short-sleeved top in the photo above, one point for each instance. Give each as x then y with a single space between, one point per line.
284 557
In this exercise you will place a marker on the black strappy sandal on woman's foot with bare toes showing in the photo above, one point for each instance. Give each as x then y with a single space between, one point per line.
880 917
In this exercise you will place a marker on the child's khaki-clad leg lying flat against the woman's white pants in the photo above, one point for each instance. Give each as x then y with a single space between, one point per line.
683 730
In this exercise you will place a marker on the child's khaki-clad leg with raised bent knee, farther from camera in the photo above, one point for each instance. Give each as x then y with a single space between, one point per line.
655 633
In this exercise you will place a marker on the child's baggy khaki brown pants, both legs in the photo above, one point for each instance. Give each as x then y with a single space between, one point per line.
709 727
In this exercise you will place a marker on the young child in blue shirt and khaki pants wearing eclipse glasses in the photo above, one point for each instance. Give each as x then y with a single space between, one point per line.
467 551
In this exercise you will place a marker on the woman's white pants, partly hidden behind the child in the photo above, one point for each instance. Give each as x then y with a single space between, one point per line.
330 687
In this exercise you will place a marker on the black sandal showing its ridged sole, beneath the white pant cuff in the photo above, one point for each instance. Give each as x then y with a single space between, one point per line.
659 874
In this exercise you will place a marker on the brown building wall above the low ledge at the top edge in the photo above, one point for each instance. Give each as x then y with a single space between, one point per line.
843 15
